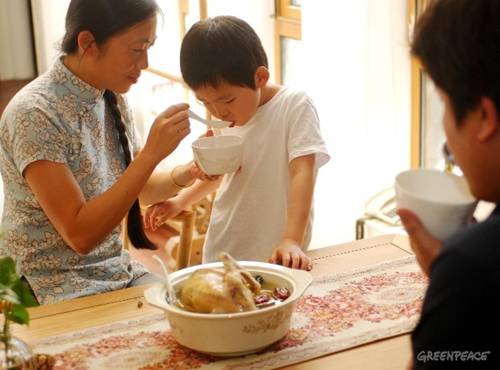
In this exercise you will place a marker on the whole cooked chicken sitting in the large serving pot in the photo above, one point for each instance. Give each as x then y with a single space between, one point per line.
215 291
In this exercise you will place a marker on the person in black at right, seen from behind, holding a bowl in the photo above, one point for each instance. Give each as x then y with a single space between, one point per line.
458 42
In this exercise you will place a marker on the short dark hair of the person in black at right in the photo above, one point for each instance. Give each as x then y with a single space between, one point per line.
458 43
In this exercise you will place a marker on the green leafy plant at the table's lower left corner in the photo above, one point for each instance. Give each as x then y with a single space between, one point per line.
15 297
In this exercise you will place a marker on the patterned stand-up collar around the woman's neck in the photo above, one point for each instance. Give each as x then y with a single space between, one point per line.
87 94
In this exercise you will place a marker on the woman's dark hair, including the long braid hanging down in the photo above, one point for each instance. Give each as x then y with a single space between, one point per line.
105 18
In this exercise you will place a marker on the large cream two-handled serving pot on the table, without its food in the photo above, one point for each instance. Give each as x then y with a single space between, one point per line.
233 334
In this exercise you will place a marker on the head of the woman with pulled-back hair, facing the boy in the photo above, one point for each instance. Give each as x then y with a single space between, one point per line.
112 37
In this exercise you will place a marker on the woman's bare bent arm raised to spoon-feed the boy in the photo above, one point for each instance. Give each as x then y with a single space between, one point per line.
84 223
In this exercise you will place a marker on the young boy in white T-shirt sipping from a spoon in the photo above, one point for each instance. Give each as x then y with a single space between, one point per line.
263 210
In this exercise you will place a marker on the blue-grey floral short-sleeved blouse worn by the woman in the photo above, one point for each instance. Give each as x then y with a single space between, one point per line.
60 118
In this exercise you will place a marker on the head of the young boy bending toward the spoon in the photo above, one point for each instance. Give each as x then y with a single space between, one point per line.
224 63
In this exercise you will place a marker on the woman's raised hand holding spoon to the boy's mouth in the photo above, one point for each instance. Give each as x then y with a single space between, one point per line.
167 131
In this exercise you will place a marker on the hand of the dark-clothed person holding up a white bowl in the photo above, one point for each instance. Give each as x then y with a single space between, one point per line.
423 243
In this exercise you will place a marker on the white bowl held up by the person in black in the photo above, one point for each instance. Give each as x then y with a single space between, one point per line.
441 200
